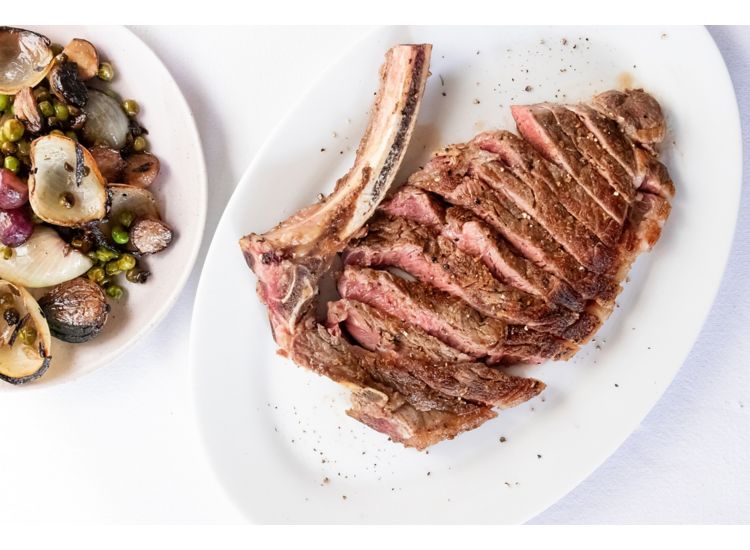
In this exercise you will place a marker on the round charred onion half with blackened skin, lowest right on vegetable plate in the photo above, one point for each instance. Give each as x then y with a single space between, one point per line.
75 310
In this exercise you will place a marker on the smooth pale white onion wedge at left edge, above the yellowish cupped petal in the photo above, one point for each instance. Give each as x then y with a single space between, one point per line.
43 260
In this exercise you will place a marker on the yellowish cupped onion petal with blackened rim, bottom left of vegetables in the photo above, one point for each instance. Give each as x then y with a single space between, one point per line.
25 340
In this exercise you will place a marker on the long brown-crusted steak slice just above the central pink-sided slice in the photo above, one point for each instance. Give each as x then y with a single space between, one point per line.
445 176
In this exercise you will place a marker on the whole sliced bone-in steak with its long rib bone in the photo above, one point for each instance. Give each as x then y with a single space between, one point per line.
510 249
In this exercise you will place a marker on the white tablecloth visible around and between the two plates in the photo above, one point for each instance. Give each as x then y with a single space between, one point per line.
121 445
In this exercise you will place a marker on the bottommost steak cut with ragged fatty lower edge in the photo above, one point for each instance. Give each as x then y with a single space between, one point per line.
459 394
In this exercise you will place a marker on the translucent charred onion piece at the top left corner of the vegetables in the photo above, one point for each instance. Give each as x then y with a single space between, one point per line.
25 59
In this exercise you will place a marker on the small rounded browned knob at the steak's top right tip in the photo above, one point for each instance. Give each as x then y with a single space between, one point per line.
639 115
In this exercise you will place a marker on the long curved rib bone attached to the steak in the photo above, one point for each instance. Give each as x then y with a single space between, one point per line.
290 259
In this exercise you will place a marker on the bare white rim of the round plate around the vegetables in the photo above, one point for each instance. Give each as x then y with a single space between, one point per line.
180 190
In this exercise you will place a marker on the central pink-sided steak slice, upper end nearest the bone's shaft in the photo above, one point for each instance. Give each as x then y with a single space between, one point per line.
475 237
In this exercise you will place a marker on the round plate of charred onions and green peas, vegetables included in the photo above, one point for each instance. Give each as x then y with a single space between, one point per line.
102 198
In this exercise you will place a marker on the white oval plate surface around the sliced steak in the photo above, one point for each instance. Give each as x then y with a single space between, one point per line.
277 434
